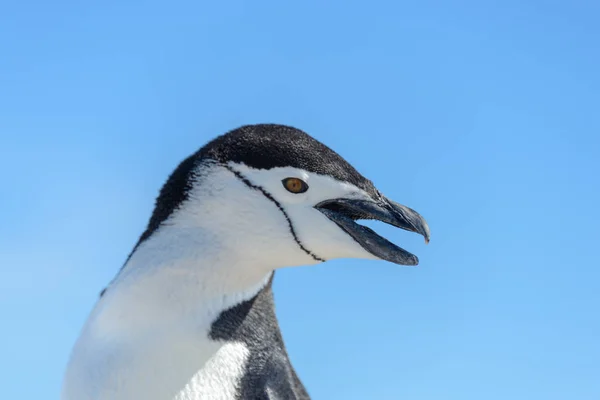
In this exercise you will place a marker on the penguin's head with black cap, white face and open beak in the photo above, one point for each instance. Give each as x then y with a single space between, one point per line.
274 196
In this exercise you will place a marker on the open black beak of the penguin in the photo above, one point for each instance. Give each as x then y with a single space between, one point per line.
344 212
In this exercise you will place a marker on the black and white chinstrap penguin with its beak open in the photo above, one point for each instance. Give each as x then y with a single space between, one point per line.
190 315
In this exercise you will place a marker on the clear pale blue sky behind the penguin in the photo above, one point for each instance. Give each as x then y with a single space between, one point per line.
484 116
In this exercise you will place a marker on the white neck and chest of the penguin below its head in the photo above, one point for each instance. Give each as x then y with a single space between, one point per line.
151 334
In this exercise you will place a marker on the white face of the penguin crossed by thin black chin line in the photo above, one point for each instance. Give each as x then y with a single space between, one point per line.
244 220
